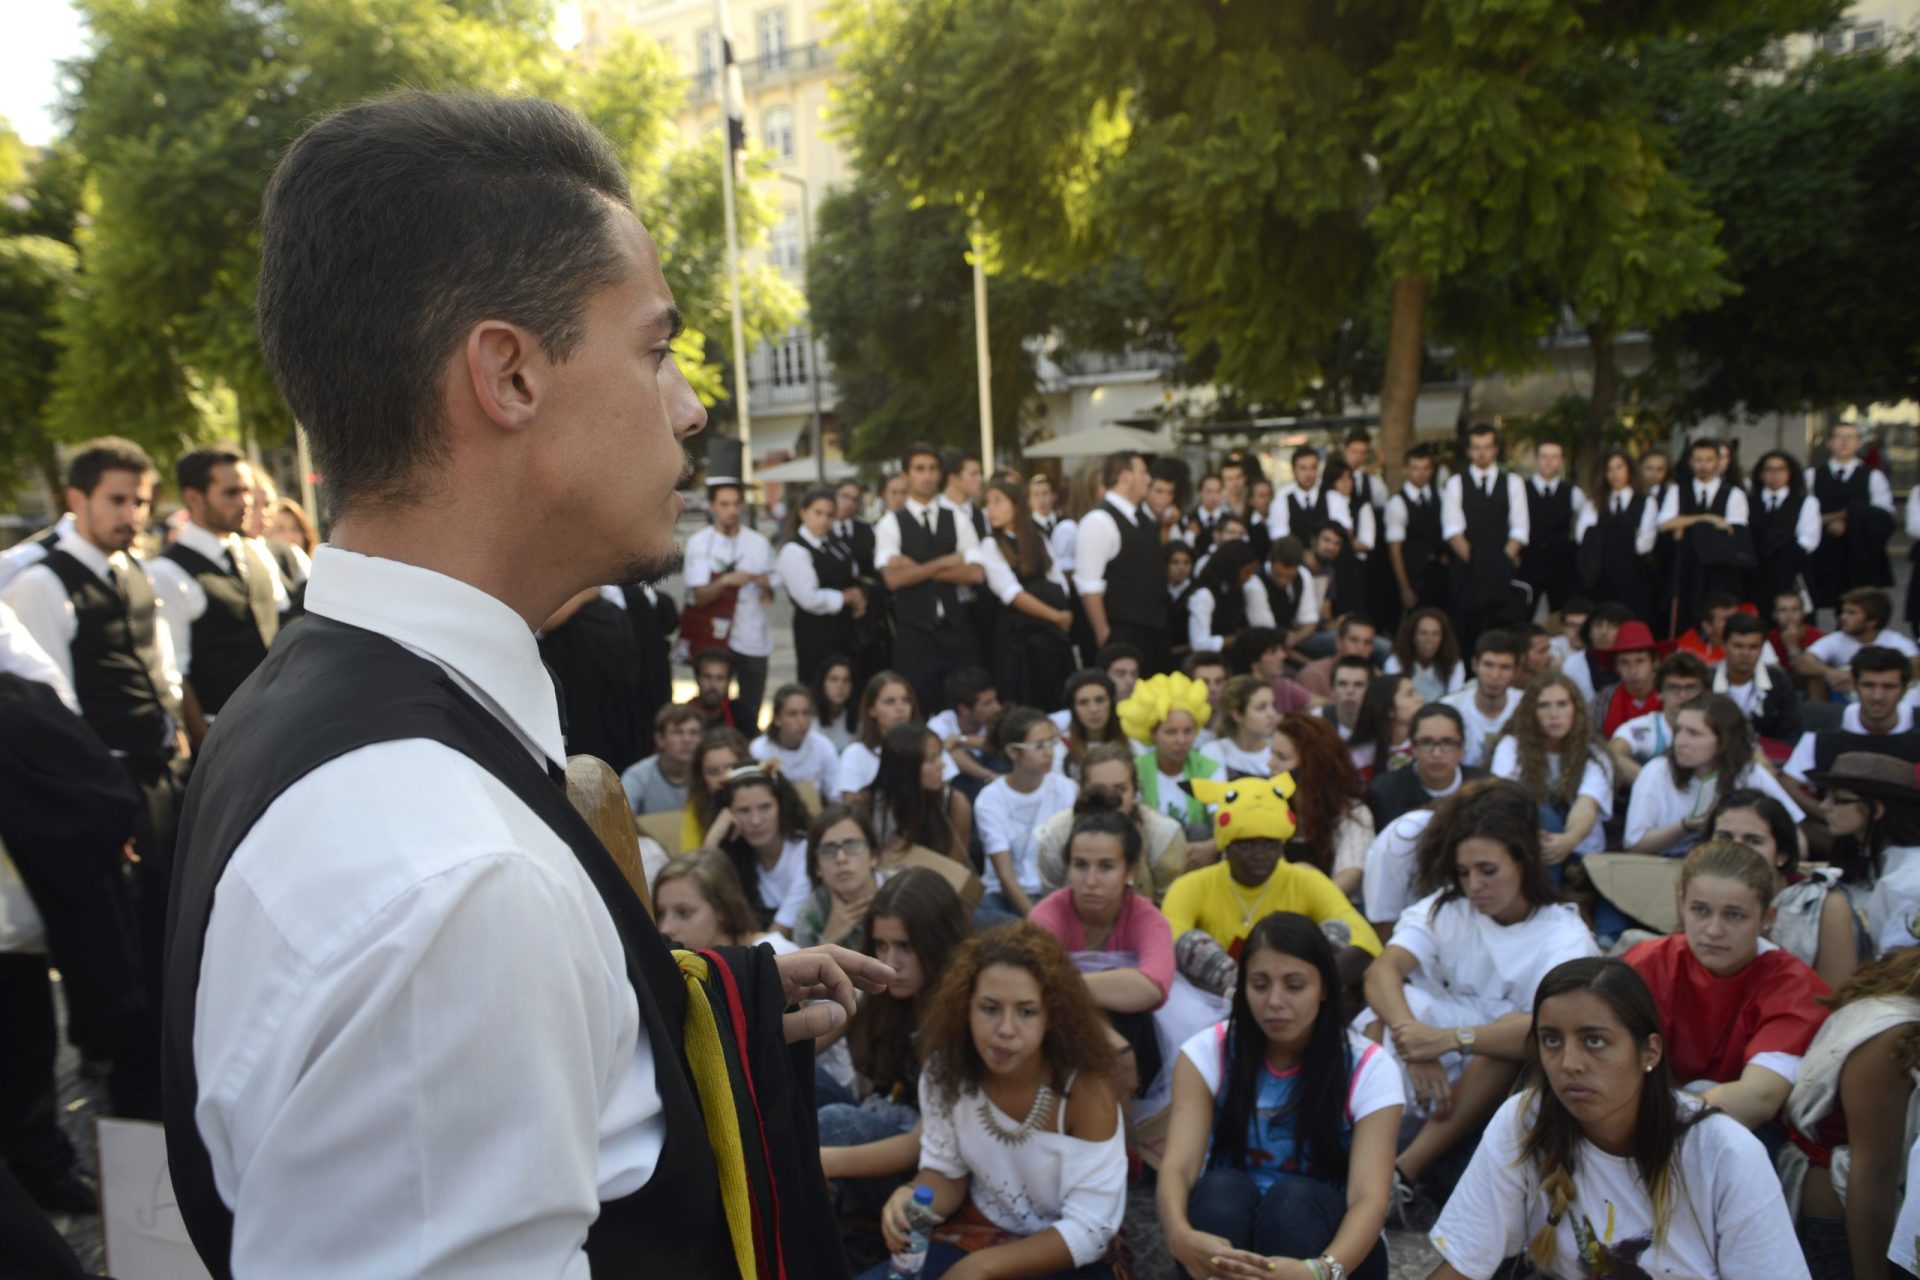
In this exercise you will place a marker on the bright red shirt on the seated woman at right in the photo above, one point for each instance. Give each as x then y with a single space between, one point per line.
1717 1024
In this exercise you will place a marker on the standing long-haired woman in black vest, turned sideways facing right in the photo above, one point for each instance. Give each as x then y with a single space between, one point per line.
1032 648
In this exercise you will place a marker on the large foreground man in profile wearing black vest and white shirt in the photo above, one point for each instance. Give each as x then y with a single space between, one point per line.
456 300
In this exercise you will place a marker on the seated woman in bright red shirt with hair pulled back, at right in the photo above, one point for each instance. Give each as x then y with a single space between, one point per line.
1739 1010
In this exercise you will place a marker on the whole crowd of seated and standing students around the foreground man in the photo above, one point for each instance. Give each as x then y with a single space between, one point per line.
1479 857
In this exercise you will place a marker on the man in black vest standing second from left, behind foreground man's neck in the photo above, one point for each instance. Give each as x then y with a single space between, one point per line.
220 592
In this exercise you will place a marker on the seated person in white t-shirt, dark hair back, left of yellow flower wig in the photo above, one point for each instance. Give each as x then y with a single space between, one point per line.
1013 809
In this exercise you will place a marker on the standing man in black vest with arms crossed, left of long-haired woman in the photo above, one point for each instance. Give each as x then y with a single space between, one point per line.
923 556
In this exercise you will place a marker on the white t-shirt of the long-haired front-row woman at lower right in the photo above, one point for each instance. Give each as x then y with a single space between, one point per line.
1729 1220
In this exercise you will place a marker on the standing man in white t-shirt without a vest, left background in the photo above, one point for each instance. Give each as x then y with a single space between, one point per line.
731 571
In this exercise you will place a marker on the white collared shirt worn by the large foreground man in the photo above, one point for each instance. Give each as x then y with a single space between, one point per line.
404 970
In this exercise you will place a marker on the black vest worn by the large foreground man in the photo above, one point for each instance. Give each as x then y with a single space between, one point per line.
329 690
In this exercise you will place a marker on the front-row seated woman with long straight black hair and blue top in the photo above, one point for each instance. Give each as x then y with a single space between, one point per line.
1284 1126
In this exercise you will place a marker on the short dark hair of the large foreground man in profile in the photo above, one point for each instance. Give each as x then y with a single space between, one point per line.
391 229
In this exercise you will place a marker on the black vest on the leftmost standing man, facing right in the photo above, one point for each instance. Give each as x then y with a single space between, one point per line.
116 659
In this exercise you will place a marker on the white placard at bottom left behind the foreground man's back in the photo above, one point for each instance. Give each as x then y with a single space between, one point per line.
145 1235
